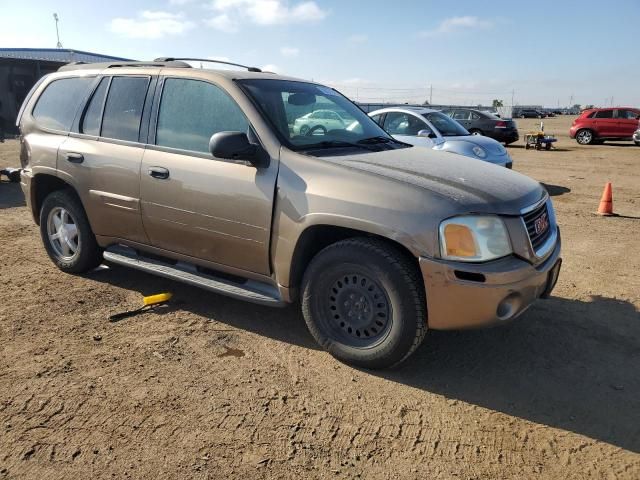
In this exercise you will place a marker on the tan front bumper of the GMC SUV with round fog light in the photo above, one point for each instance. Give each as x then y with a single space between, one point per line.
463 295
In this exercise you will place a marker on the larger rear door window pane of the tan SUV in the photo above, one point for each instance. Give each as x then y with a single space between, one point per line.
123 110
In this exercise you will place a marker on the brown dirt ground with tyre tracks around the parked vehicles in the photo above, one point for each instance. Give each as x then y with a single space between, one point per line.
216 388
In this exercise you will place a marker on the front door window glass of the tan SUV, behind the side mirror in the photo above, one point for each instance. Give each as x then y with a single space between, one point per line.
191 111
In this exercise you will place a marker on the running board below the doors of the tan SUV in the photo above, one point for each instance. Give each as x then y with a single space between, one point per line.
251 290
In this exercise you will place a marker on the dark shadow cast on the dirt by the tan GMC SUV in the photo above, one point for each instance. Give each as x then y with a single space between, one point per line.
568 364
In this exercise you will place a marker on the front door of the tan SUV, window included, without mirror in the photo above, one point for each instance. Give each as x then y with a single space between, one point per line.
197 205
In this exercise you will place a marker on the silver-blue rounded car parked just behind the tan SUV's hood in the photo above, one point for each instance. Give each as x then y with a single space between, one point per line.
425 127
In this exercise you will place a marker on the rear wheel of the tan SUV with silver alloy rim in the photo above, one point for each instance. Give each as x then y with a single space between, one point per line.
66 233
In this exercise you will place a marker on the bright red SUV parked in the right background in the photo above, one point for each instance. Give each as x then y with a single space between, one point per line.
599 124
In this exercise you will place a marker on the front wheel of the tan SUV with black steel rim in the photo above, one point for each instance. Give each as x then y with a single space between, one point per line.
363 301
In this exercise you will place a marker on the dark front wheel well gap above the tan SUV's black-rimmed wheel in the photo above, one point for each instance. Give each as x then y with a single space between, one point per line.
316 238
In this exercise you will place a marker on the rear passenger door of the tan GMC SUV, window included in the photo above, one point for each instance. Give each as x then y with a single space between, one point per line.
102 156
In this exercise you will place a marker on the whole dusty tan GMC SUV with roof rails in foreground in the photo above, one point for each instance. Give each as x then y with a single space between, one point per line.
198 175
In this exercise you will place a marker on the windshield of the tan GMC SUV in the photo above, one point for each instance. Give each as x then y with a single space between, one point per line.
308 116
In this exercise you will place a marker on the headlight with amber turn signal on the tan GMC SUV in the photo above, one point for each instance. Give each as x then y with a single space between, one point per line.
474 238
